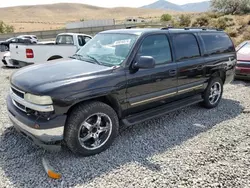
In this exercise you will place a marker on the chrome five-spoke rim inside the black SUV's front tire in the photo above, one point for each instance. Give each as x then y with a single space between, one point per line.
95 131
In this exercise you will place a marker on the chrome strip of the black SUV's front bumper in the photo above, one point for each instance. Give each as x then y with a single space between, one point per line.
44 135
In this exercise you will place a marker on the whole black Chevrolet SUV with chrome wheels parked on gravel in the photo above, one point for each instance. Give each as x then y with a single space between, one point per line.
119 78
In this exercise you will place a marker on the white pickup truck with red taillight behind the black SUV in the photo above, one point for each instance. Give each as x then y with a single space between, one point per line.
66 45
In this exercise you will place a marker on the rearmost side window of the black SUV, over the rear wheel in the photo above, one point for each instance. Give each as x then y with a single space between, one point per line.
217 43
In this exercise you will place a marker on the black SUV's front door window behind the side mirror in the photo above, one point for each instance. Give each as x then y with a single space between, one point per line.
158 47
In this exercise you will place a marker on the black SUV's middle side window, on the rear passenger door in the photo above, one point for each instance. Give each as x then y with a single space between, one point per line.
186 46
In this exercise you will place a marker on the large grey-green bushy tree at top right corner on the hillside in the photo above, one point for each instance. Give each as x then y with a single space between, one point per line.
231 6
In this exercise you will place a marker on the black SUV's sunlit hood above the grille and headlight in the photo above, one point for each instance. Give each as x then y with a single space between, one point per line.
58 71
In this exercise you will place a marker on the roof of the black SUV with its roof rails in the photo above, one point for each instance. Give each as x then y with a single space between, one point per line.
150 30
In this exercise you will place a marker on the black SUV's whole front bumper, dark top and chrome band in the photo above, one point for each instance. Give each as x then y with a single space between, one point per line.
49 130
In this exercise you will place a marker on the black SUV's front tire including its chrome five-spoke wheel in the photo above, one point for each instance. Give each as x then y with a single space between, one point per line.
78 128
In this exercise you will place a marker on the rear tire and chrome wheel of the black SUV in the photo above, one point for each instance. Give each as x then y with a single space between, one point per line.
208 102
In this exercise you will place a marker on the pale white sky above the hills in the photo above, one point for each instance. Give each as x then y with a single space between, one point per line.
100 3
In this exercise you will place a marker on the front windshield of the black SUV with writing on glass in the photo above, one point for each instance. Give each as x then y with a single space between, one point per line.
107 49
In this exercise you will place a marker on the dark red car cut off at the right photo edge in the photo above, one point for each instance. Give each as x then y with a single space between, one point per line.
243 63
